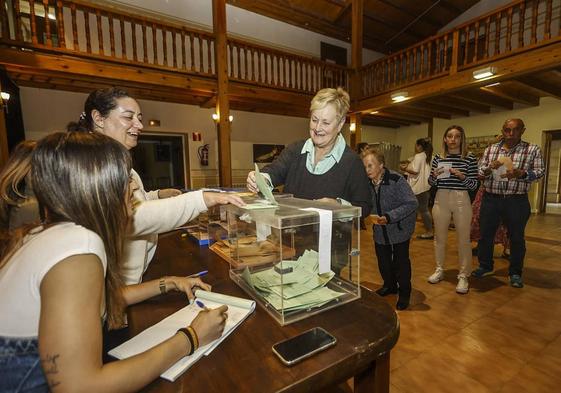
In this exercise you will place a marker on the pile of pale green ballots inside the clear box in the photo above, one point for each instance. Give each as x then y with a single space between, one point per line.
302 288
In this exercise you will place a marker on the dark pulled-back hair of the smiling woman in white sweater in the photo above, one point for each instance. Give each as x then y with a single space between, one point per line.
101 100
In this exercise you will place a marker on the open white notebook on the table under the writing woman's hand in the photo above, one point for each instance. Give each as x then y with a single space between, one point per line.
238 310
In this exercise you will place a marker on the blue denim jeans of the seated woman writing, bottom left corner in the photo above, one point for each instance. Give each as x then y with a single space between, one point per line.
20 366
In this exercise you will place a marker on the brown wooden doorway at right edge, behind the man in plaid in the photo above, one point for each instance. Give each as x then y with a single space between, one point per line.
550 193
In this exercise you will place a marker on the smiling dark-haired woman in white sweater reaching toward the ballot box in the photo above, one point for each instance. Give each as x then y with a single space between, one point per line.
114 113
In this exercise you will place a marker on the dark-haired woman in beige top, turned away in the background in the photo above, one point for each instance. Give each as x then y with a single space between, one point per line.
418 172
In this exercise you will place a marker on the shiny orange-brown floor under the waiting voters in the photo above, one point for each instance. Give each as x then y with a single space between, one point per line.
495 338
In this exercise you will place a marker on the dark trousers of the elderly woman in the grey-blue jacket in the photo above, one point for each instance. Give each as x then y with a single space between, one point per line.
395 266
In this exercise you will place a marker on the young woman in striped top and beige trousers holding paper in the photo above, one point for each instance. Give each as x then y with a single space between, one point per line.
453 174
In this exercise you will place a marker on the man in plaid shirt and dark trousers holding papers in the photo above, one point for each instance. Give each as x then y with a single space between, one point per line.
509 168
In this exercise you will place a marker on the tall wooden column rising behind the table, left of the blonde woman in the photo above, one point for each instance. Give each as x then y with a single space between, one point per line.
222 101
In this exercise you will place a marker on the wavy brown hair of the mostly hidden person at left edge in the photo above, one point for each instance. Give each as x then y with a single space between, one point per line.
18 206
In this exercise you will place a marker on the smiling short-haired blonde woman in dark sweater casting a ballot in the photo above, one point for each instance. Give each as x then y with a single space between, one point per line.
323 167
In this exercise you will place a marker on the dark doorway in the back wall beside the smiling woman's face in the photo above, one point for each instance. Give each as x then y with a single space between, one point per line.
162 160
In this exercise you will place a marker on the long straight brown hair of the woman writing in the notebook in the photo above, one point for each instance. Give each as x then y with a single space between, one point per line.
83 178
